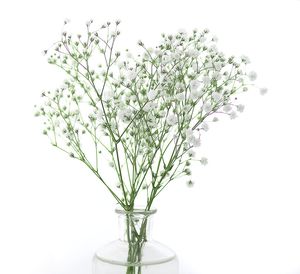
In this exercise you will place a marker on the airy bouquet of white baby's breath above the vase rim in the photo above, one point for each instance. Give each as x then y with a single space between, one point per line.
142 115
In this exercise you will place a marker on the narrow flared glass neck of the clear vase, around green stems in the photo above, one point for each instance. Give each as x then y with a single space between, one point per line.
135 225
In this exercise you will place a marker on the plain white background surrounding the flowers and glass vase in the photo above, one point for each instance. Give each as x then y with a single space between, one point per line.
242 216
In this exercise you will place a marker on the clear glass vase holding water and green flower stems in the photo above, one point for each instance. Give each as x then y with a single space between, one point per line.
135 252
